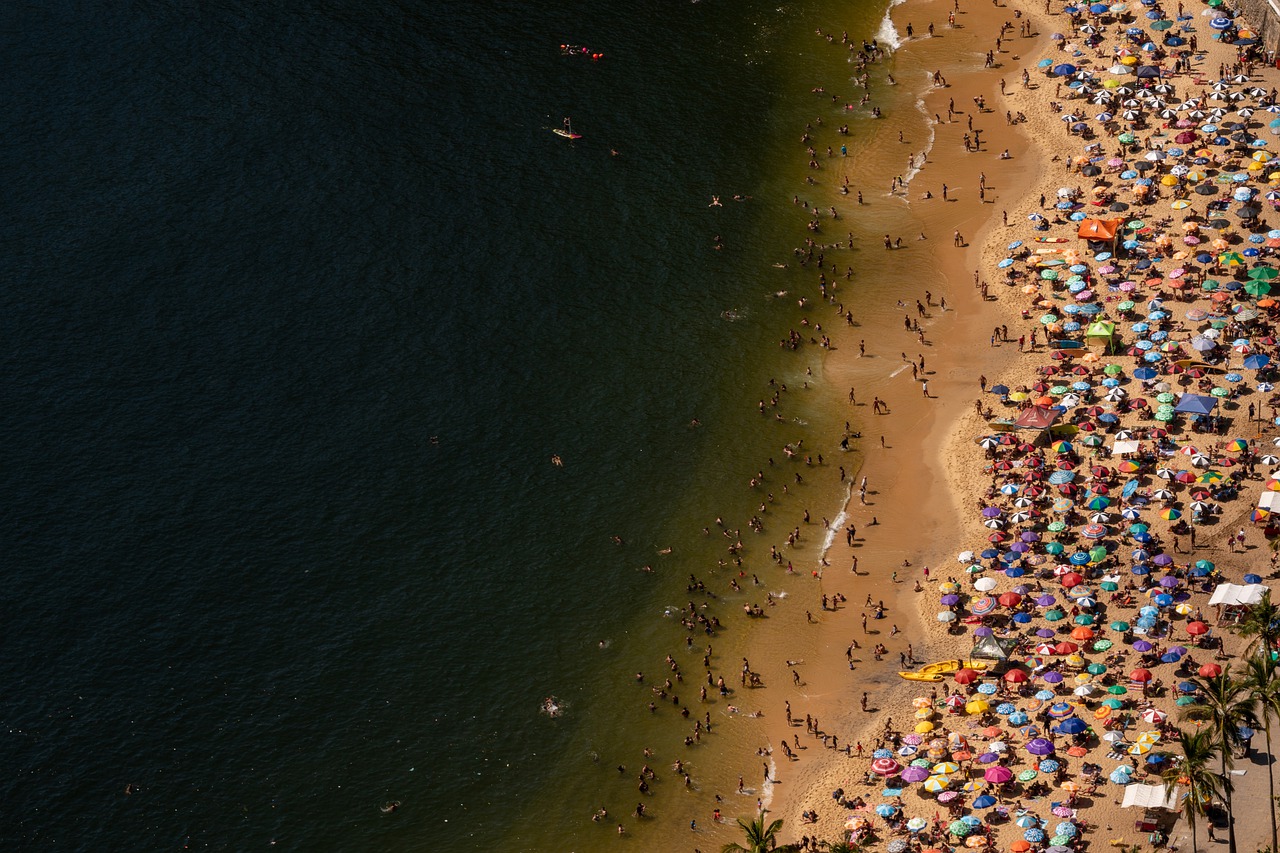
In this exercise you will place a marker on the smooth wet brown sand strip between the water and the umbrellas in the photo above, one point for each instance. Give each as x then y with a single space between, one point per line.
911 492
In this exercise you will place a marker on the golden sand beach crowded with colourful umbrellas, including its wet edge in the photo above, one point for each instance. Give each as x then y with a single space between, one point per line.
930 482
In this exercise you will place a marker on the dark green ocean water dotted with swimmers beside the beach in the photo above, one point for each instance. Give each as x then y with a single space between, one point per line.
300 305
